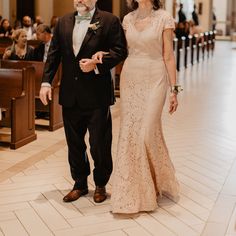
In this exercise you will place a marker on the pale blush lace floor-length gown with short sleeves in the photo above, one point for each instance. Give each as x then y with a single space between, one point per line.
143 168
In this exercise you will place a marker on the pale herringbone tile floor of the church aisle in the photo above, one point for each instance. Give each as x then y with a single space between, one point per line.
201 137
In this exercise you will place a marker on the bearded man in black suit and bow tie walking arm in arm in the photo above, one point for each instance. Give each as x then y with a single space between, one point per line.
86 90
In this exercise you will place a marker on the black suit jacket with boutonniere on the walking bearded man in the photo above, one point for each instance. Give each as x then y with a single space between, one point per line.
87 90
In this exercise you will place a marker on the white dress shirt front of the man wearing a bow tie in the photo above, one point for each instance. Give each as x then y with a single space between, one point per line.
79 32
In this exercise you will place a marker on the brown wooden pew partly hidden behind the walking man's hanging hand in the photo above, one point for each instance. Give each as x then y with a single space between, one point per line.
54 109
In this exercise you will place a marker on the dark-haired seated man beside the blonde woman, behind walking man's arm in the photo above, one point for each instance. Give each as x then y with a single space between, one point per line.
43 34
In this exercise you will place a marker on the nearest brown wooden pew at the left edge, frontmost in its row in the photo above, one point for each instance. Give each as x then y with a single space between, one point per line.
17 91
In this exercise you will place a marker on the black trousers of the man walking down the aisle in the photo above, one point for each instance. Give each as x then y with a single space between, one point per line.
99 125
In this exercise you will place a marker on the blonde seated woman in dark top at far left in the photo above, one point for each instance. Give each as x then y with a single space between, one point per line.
19 50
